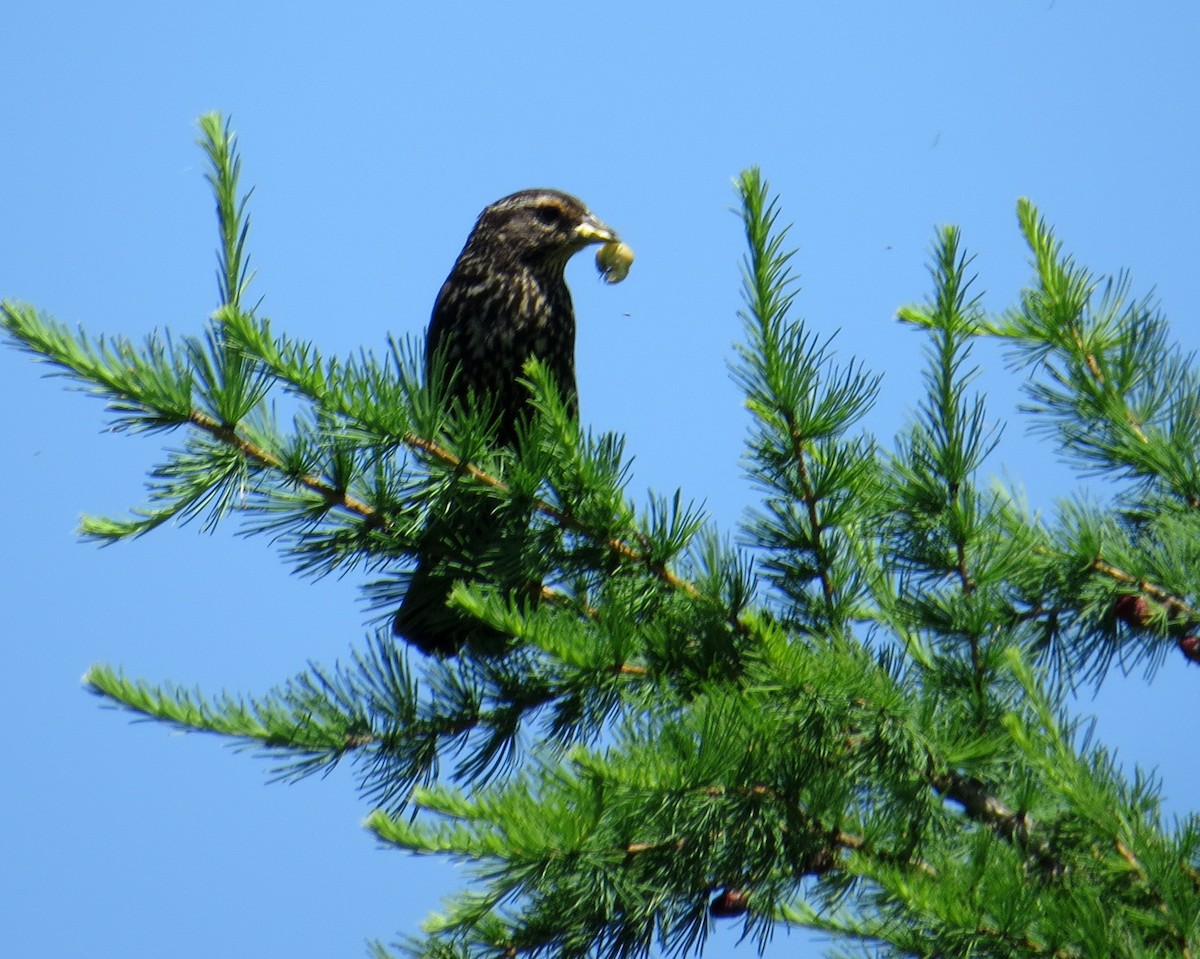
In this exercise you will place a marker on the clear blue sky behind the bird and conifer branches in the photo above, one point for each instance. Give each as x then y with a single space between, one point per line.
375 133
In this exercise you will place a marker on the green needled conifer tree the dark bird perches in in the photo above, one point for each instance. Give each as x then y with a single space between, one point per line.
854 721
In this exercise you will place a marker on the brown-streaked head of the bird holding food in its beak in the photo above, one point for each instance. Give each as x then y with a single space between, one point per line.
542 229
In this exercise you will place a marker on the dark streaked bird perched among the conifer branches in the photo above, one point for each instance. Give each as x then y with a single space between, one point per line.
505 302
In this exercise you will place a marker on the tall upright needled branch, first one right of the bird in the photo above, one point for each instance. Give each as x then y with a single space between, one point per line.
819 482
